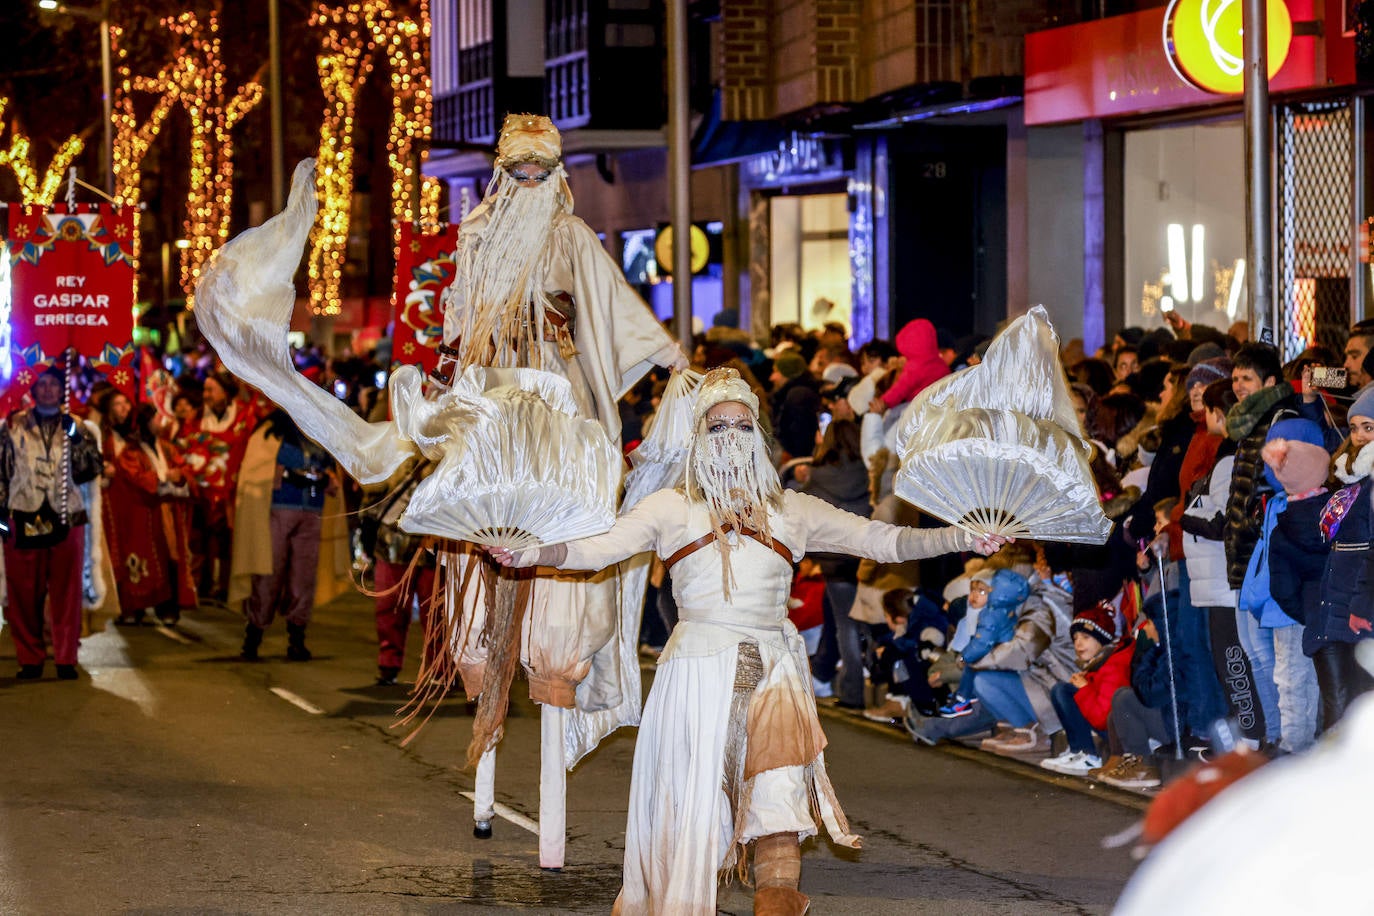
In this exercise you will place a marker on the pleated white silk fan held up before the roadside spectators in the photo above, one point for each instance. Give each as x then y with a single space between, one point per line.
998 448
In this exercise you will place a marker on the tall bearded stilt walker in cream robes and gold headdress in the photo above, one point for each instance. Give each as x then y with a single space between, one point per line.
535 289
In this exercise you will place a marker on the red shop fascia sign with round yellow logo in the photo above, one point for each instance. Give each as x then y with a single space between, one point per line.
1118 67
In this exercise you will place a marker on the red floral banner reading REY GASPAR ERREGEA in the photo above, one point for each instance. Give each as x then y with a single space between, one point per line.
71 286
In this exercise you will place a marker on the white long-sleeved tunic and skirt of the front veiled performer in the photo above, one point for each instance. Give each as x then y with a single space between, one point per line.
681 823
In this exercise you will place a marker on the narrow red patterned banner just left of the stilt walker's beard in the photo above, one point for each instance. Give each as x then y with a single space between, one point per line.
424 270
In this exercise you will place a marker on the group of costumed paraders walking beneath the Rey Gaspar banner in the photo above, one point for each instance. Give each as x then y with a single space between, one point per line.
201 491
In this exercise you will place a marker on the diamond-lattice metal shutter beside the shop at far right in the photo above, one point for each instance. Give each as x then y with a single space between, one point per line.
1316 209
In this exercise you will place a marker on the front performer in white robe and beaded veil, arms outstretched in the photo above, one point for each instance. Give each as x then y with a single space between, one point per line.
730 749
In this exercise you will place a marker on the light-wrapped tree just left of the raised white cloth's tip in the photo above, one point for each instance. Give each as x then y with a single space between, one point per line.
197 82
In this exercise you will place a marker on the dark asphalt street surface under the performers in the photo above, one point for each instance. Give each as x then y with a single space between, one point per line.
174 778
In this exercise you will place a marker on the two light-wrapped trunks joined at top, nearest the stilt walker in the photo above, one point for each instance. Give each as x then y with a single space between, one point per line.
354 36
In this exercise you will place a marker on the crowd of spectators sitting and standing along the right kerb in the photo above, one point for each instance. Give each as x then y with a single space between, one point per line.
1225 606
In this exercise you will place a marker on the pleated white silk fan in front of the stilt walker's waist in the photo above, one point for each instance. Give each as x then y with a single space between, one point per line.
520 469
